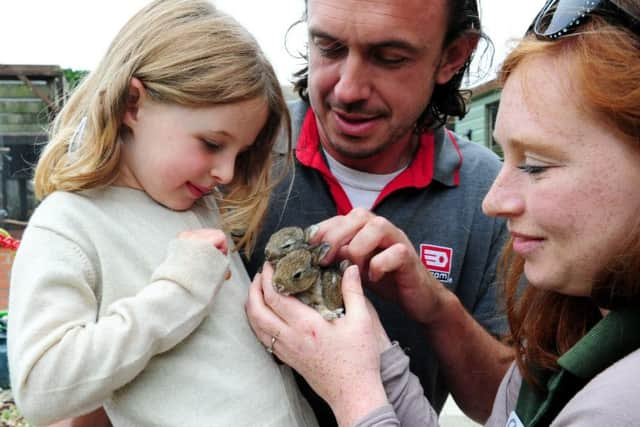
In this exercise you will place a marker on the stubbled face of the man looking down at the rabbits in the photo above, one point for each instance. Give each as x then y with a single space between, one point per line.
372 69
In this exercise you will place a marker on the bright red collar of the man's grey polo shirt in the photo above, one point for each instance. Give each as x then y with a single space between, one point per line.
418 174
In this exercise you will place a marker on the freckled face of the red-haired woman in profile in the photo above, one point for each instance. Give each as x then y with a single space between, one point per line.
568 186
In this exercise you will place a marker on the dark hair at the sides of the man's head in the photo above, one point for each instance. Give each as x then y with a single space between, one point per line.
447 99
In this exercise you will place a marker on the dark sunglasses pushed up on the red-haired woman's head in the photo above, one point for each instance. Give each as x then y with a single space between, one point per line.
558 18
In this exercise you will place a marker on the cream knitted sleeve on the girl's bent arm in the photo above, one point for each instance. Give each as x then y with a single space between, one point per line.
65 359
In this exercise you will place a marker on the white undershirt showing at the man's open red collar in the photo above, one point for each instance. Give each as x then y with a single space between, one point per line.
362 188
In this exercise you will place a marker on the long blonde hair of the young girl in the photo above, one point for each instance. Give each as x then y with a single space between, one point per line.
185 52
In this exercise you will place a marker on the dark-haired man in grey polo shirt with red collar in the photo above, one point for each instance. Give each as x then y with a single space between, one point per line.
382 77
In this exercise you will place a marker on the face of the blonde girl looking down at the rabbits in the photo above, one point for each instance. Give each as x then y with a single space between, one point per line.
178 154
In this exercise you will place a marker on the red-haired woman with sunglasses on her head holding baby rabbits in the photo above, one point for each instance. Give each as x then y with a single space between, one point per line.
569 125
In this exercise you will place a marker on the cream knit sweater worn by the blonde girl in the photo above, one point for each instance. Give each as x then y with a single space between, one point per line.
108 308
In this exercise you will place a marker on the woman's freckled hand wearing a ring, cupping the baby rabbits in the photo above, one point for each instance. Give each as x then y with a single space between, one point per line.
339 359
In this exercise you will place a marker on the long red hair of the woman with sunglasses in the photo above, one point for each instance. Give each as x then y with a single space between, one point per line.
605 66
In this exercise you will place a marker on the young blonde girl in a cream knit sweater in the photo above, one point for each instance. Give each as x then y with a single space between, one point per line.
126 292
